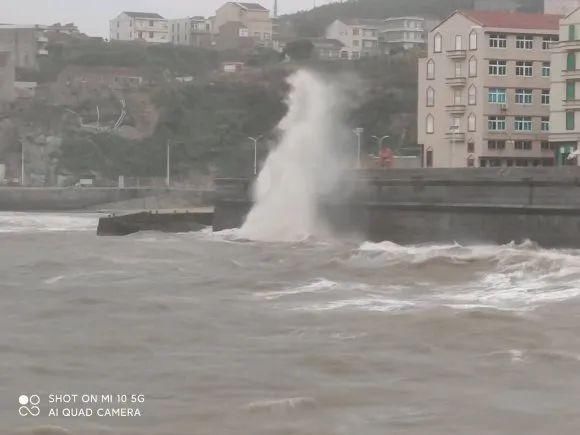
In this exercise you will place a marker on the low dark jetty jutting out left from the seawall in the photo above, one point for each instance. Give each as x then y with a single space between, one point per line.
163 222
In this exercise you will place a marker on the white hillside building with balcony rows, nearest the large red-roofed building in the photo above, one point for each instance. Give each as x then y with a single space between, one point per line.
403 33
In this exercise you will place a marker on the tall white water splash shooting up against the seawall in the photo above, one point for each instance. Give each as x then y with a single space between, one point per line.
303 168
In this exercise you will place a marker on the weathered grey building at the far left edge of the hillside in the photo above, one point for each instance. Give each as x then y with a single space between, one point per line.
26 43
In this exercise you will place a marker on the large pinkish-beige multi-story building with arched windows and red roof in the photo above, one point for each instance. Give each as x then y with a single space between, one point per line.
484 90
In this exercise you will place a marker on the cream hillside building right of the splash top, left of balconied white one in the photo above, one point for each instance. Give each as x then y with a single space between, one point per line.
360 37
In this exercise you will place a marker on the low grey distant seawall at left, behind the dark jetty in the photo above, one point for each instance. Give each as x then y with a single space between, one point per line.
67 199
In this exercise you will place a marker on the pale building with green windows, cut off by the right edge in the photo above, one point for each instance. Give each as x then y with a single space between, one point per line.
565 102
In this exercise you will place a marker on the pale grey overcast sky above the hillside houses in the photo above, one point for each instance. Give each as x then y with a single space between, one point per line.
92 16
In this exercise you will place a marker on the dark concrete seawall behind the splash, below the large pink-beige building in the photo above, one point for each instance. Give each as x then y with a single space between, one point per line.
468 206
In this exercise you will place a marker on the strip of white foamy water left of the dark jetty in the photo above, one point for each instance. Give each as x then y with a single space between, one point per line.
46 222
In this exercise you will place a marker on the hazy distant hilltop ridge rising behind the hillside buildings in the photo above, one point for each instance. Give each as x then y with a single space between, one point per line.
313 22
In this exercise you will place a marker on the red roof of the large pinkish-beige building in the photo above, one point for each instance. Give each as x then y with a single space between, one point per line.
514 20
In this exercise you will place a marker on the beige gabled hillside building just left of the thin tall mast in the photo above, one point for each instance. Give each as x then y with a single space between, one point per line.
253 18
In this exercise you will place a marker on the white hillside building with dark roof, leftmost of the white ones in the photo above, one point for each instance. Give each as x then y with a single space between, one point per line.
139 26
